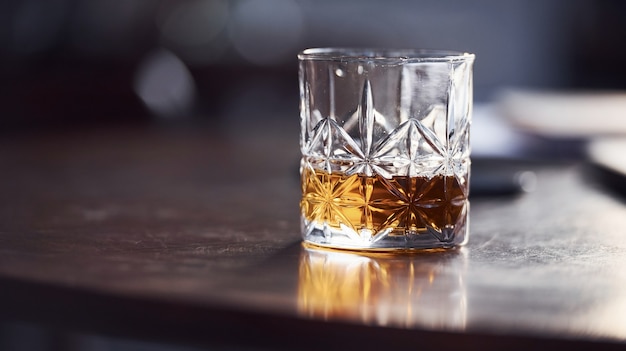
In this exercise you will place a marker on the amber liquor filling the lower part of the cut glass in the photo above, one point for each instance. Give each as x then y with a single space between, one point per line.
400 205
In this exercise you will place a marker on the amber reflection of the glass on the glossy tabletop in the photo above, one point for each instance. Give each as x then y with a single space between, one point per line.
401 290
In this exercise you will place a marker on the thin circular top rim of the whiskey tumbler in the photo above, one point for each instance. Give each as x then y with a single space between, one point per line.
382 54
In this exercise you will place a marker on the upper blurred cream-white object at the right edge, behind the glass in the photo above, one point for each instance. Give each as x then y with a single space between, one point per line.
566 114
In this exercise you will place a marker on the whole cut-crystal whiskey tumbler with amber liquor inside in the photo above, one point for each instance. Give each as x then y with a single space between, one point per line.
385 146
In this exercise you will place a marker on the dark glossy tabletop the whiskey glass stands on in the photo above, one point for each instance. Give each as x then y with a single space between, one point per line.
192 237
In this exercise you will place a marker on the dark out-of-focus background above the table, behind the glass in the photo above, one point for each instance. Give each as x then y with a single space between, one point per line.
228 64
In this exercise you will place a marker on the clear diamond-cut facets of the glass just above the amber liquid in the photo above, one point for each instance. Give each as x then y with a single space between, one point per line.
435 143
